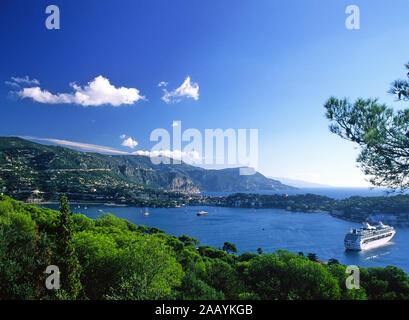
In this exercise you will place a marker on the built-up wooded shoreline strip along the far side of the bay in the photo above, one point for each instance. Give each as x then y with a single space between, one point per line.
389 209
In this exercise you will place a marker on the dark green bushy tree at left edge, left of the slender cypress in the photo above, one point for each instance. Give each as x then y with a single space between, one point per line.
24 254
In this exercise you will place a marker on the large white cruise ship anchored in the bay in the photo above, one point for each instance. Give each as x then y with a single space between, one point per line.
368 237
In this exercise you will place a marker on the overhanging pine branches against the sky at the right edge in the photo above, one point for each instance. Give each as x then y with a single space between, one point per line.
381 133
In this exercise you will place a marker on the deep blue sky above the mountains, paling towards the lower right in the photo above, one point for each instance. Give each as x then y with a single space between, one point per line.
262 64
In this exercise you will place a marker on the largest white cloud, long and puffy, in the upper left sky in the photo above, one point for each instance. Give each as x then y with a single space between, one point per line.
97 92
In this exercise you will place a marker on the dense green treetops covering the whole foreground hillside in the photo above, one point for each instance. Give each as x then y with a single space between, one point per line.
111 258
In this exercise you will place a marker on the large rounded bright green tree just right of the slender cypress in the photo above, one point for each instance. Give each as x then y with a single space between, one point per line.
126 265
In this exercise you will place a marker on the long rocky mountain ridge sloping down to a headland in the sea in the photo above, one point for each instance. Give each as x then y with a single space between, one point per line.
28 166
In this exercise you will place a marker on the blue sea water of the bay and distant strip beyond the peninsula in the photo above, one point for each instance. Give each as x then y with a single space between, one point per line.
269 229
